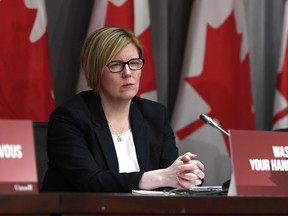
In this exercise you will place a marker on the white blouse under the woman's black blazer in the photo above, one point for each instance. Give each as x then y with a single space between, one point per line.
126 153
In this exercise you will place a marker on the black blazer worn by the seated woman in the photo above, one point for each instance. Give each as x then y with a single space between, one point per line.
81 152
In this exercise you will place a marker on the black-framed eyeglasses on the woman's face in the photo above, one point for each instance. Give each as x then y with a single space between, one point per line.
118 66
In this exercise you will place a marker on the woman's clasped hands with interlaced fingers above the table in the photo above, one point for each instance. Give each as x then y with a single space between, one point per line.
186 172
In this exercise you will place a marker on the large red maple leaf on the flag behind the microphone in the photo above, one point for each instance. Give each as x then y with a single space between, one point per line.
225 81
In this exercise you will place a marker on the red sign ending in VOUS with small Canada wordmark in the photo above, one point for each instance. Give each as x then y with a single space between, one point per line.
17 157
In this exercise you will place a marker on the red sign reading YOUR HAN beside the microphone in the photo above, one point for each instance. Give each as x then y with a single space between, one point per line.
260 162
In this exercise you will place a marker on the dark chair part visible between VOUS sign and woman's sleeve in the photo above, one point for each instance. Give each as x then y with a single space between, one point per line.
40 133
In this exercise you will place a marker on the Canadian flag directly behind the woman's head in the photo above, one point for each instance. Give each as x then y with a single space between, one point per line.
134 15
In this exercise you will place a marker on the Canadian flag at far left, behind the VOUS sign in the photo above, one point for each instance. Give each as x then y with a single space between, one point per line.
25 74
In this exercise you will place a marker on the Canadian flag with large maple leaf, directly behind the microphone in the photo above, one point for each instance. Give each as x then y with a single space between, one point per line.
215 81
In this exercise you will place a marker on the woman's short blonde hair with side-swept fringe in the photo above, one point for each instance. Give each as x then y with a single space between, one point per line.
100 48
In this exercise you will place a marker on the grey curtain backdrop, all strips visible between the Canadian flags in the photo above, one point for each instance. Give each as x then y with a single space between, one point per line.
68 22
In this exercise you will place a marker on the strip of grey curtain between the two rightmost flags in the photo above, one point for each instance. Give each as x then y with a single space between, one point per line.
264 22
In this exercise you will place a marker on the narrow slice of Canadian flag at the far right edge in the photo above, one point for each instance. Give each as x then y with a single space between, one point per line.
280 118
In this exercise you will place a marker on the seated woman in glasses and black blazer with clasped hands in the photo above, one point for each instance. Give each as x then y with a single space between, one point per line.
108 139
